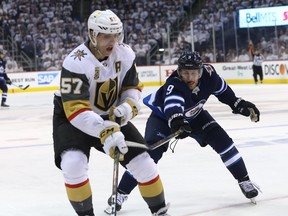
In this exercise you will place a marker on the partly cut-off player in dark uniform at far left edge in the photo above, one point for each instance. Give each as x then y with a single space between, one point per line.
4 80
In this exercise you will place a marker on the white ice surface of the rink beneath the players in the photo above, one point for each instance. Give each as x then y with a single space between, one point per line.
195 180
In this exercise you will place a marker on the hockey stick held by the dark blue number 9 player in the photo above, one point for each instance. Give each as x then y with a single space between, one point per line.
154 145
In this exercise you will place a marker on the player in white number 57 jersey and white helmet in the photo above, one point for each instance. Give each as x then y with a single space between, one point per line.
98 83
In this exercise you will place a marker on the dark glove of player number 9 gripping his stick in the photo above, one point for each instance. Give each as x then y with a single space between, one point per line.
178 122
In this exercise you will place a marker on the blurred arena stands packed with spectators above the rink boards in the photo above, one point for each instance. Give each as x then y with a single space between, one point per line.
38 34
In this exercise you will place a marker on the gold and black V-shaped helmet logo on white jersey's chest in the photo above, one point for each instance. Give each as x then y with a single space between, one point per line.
106 94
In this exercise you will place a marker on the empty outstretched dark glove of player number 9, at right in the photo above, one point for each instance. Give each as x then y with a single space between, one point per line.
246 108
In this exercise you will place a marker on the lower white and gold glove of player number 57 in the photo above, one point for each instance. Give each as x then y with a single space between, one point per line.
111 137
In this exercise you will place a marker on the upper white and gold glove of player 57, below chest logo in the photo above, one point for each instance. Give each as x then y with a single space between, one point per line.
125 111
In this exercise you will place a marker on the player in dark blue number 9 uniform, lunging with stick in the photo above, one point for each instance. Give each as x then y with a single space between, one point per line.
178 104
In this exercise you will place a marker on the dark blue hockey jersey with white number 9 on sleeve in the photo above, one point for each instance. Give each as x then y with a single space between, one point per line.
175 96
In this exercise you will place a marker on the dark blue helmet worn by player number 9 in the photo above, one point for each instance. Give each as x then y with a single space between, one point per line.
190 61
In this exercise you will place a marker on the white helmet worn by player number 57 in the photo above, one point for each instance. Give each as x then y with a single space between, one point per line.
105 22
